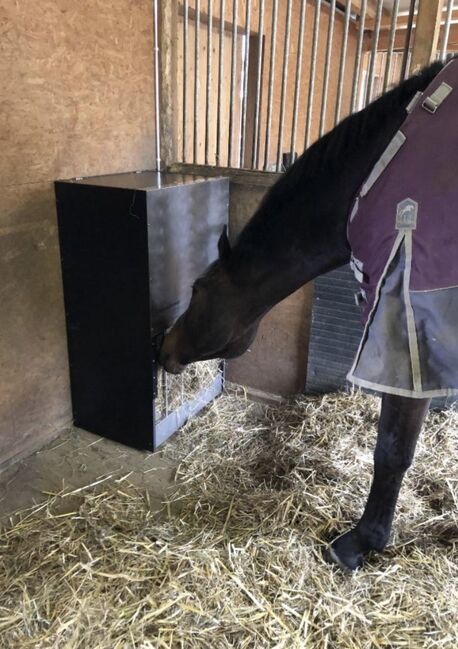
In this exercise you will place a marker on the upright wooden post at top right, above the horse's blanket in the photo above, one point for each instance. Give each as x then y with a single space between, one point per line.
426 33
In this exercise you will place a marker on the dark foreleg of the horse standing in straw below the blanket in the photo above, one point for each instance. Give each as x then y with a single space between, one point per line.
400 423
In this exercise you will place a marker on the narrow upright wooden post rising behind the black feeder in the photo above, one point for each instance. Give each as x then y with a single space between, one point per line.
168 24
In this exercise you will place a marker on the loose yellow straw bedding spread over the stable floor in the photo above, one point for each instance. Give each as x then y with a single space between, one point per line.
234 559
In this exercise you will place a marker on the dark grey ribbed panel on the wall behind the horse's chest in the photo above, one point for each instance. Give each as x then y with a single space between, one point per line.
335 332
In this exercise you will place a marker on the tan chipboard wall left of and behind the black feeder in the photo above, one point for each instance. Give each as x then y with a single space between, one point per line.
77 100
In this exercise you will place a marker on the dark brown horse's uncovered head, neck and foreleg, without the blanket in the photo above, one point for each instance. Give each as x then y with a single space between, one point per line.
298 233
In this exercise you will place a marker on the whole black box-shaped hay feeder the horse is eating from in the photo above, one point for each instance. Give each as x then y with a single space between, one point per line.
131 246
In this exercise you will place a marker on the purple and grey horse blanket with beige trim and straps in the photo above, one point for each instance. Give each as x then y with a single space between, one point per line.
403 232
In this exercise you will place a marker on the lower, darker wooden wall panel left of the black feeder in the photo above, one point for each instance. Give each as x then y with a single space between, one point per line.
34 402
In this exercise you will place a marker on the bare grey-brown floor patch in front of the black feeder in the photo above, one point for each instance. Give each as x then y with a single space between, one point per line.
74 460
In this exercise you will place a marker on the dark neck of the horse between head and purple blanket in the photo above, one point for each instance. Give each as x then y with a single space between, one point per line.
299 231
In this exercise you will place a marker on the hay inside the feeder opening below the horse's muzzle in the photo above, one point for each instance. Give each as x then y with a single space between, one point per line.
173 391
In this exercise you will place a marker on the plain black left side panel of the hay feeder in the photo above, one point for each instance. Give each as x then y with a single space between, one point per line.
103 240
